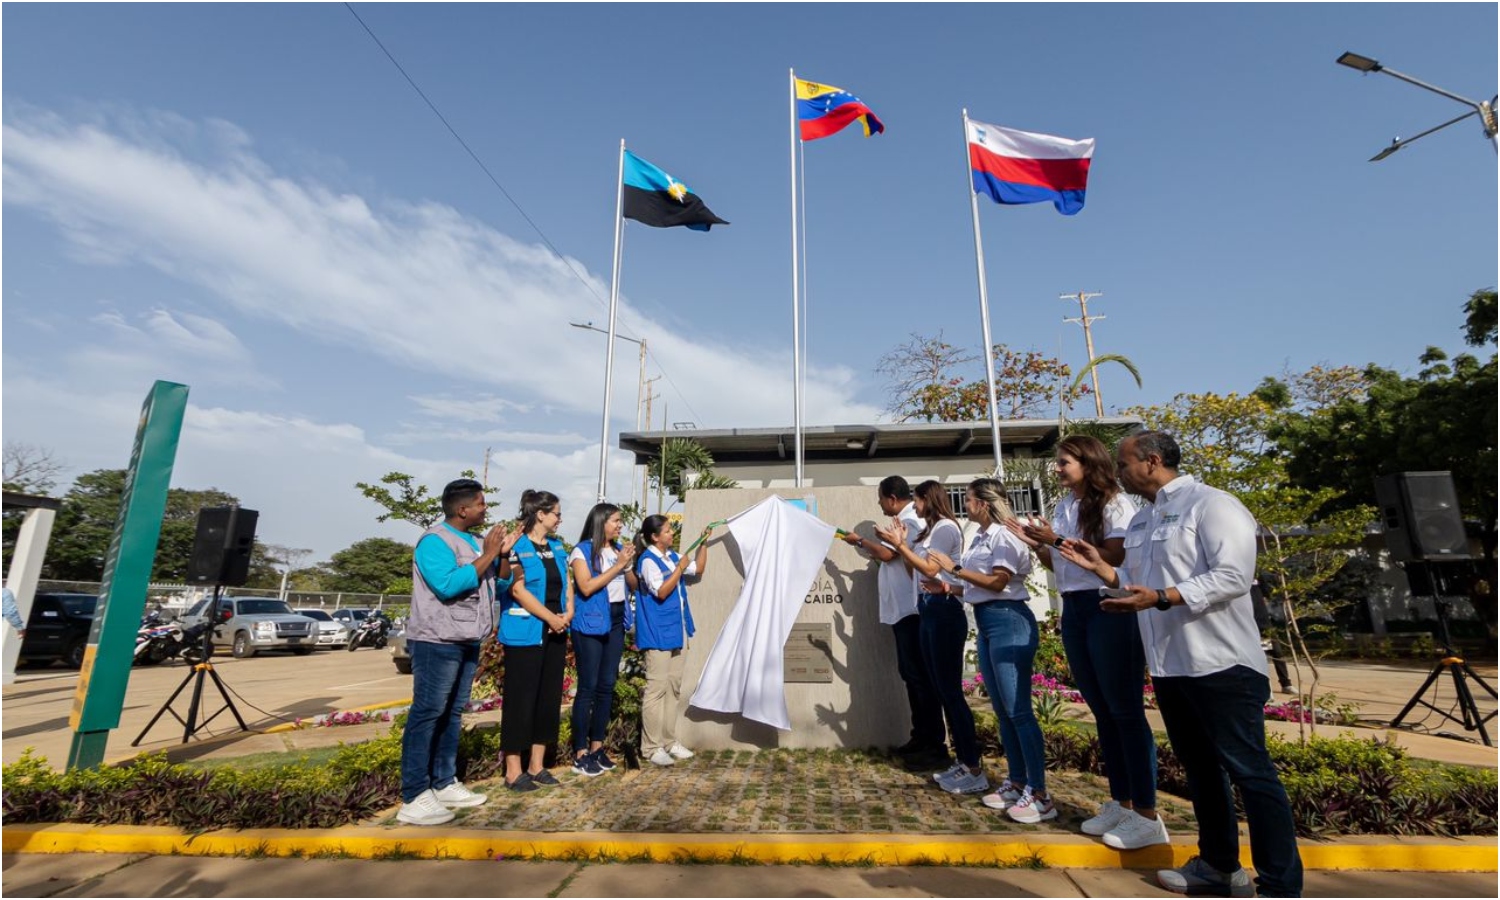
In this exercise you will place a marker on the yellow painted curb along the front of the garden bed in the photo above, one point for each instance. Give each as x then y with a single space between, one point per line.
1061 851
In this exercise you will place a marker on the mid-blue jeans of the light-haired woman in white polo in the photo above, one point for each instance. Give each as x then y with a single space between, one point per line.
1007 652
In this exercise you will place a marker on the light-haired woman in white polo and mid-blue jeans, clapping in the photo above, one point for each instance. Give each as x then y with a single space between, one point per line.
994 575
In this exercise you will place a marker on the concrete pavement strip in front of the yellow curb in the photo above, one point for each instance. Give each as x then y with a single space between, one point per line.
107 875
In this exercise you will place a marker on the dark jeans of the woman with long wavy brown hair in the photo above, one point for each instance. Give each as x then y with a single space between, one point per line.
1109 667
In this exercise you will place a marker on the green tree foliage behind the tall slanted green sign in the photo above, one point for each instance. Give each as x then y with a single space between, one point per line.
86 526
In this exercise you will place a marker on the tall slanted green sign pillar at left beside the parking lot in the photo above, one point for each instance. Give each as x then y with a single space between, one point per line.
127 575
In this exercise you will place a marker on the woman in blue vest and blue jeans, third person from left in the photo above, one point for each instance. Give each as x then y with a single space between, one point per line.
602 578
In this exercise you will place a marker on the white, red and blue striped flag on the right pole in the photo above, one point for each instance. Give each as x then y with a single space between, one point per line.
1015 167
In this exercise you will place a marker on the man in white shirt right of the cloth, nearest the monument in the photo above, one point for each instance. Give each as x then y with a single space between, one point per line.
898 587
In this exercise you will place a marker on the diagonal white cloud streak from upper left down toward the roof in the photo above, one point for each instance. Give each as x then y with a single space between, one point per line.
335 266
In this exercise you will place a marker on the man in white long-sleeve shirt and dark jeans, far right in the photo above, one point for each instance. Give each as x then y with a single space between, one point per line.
1190 560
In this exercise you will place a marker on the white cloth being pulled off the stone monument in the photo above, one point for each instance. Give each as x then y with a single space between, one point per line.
782 550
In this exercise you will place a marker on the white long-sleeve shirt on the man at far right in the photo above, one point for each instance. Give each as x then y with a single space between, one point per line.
1202 542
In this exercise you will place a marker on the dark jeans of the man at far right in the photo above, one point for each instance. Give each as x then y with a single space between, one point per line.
1217 728
